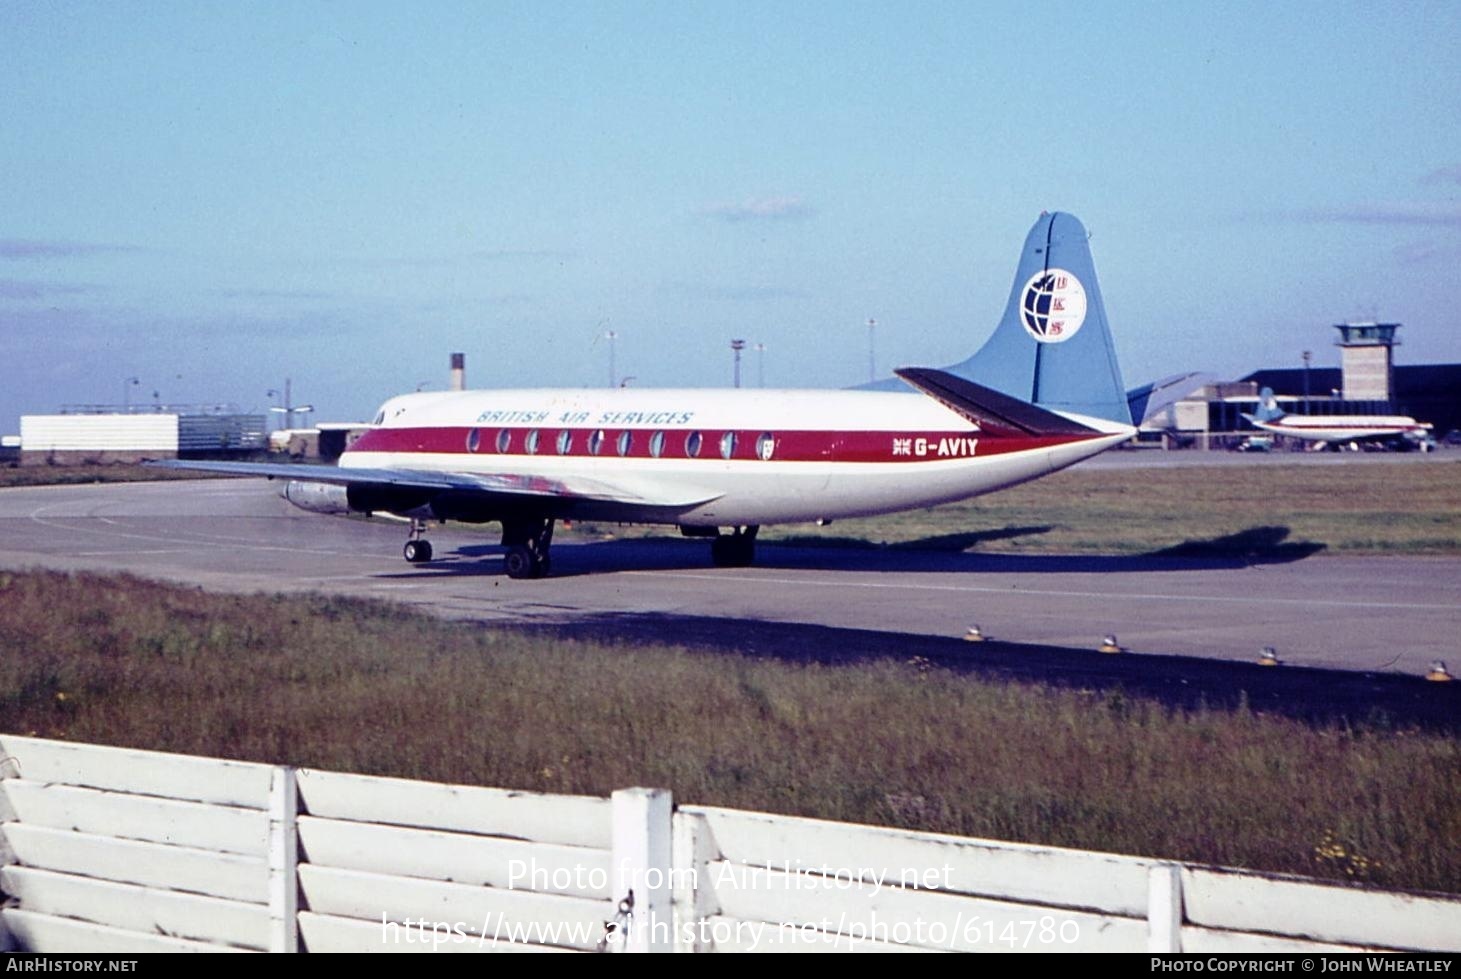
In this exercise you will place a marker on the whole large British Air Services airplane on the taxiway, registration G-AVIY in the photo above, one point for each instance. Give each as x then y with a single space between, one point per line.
1042 394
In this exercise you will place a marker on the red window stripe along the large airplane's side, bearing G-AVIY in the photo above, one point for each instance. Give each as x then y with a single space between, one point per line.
787 446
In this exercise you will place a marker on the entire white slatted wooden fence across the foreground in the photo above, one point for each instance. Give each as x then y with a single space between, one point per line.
110 850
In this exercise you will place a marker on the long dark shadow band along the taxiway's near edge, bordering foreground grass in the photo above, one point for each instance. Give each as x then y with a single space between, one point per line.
1321 696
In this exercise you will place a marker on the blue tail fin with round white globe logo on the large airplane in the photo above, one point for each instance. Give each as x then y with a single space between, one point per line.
1054 347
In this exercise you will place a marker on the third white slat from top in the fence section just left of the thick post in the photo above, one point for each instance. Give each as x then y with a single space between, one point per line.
483 913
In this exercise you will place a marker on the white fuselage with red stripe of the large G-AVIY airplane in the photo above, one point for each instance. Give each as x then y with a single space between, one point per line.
721 458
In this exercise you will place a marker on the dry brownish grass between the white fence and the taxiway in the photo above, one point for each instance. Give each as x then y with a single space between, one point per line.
369 687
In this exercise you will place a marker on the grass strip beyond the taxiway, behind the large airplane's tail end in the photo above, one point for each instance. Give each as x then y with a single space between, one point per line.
1386 508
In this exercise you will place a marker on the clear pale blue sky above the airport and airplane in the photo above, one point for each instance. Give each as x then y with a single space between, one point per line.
215 197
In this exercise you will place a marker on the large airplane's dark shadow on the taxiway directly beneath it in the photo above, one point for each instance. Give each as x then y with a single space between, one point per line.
940 555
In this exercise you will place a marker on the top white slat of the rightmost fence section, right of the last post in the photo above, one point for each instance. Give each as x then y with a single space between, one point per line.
1314 911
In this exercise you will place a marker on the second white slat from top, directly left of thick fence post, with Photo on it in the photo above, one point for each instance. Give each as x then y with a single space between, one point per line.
457 857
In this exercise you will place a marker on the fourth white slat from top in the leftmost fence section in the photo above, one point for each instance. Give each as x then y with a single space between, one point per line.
140 910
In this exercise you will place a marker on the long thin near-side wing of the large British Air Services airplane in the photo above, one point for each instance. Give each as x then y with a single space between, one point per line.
486 483
